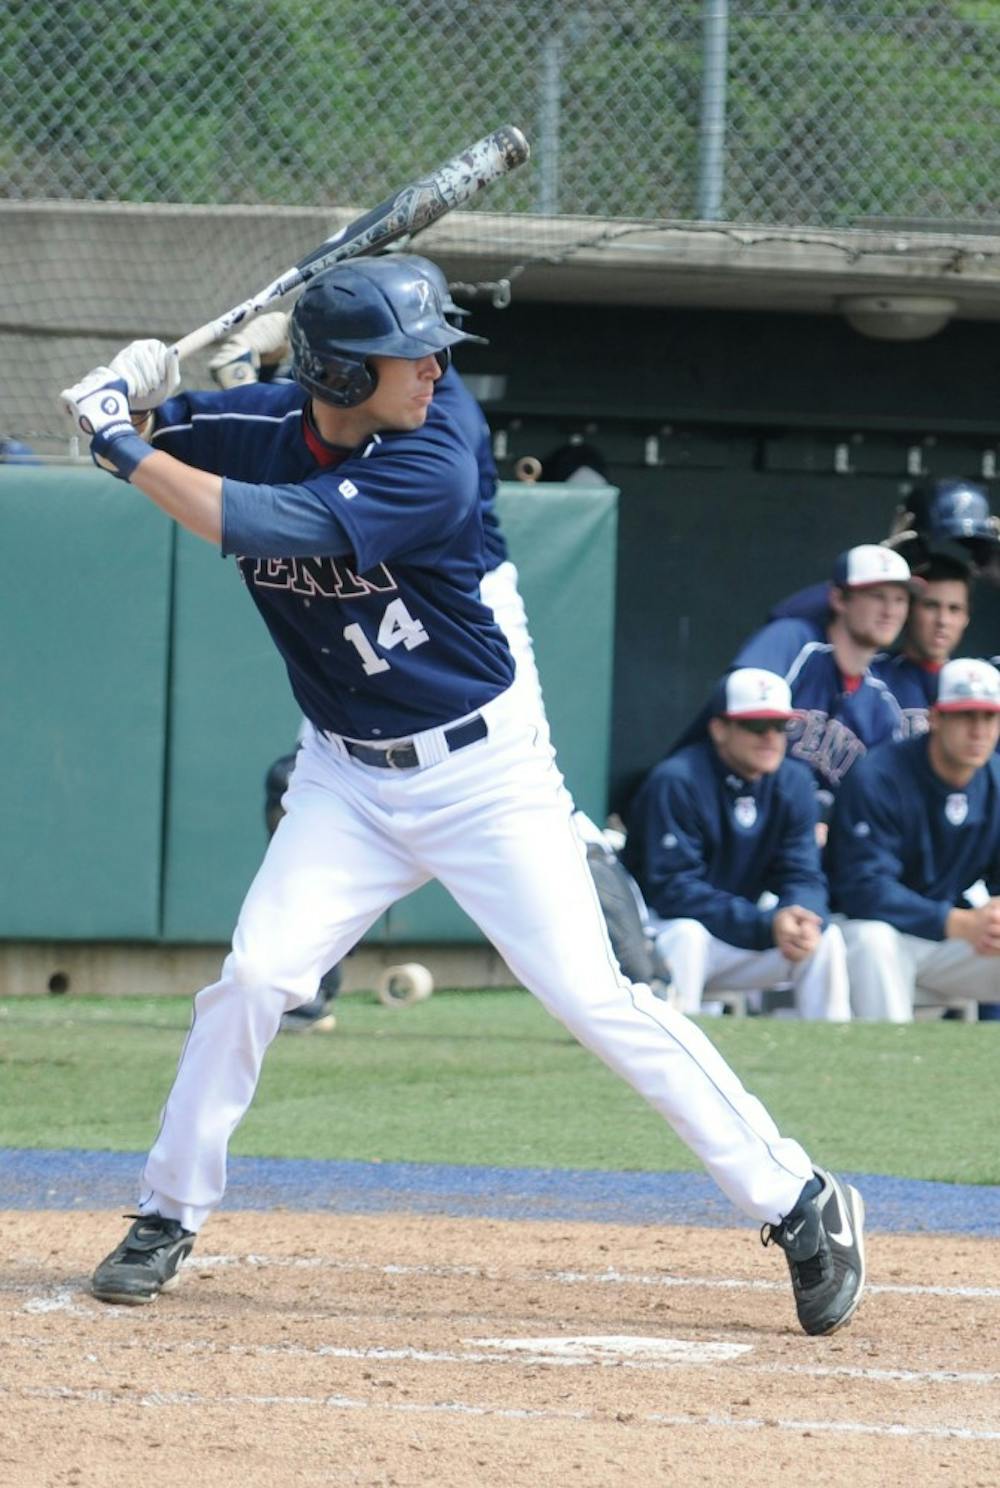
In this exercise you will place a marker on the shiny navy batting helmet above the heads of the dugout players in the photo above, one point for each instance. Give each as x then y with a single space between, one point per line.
949 519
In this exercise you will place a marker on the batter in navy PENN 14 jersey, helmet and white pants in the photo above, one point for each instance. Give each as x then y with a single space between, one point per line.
350 504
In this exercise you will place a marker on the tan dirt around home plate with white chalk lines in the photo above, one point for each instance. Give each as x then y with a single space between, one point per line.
306 1350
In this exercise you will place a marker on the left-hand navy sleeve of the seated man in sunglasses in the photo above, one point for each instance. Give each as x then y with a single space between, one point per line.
675 870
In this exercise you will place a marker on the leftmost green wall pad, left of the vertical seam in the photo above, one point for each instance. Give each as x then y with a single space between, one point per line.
84 618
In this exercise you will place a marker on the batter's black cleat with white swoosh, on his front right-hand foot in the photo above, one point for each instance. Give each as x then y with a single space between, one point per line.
824 1242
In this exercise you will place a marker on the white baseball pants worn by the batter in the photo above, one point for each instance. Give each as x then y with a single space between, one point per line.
493 824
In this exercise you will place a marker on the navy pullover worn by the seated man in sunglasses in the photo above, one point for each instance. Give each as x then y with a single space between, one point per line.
705 844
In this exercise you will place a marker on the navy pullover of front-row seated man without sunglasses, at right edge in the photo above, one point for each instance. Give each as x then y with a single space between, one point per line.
906 846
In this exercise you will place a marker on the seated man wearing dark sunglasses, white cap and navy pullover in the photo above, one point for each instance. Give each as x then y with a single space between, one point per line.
717 827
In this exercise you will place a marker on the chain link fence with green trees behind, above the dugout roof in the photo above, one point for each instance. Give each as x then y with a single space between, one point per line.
801 114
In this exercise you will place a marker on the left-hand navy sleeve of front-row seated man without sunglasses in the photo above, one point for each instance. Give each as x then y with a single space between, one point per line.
865 858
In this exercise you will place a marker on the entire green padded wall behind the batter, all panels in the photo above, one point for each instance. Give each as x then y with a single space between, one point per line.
145 702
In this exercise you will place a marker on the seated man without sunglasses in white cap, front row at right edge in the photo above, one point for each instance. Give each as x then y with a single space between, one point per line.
914 828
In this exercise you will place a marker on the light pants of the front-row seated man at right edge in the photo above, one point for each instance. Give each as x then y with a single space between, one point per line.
886 968
